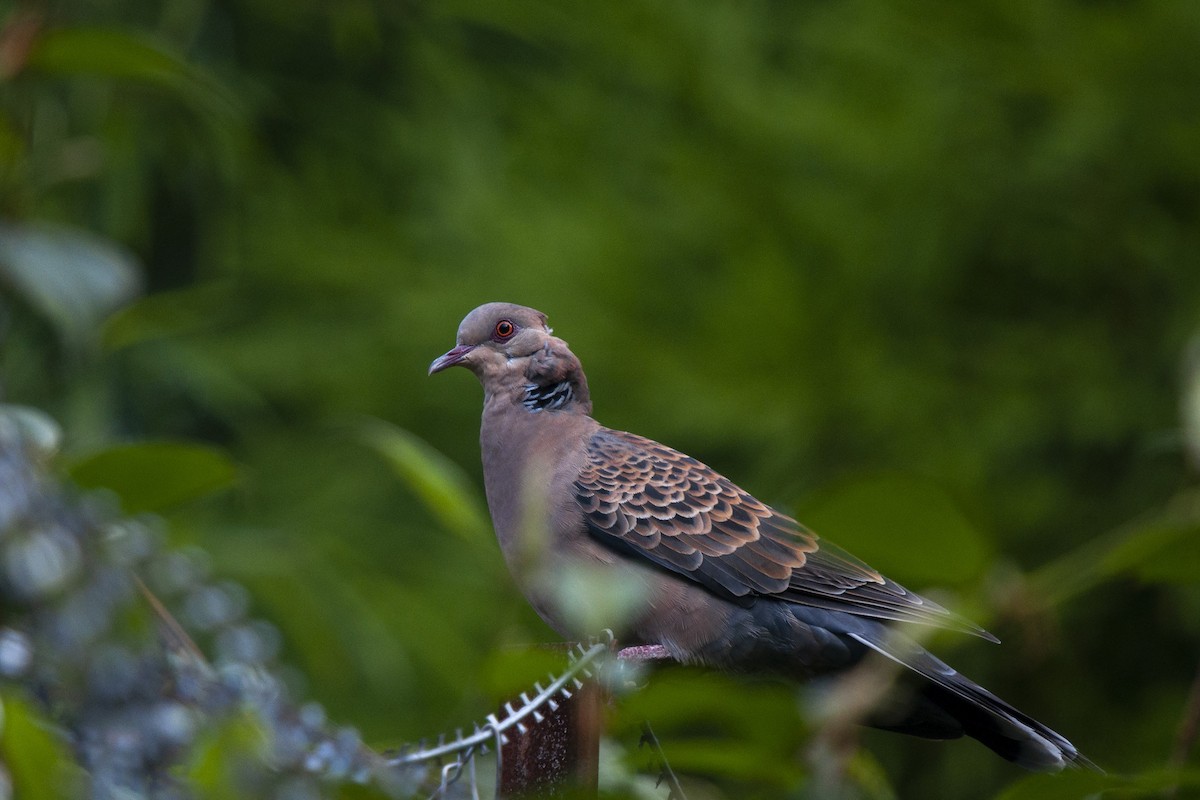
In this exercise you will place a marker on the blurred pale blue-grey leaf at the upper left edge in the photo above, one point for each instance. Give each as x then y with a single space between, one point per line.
71 276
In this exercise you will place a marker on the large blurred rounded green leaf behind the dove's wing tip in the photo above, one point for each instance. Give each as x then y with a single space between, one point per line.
872 516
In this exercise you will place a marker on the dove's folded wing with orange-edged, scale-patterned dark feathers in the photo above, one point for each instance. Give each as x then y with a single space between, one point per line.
651 502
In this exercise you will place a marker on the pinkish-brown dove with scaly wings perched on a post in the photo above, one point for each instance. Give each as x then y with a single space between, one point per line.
728 582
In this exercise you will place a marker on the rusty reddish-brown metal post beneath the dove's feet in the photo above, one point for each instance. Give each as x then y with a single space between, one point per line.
557 757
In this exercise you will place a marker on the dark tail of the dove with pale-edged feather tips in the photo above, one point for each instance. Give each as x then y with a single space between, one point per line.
950 706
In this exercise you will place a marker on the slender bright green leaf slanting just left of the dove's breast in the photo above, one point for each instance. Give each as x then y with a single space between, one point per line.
441 485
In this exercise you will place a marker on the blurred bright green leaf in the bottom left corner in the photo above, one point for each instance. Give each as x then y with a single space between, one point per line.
38 762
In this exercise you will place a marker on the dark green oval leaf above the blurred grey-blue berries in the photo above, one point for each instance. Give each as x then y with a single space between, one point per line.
154 477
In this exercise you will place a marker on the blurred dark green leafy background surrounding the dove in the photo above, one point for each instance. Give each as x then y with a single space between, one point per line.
922 274
